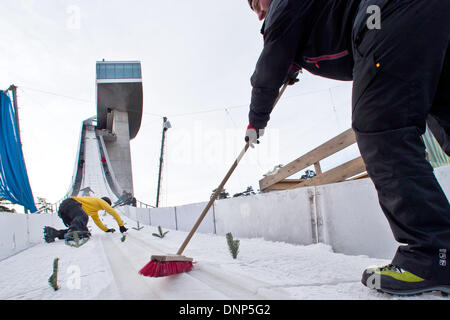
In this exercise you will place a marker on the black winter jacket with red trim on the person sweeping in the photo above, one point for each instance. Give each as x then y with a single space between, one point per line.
314 34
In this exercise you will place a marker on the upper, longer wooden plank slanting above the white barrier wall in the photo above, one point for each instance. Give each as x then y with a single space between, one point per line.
345 139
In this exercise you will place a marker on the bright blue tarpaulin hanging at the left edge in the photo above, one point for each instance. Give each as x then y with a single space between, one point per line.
14 184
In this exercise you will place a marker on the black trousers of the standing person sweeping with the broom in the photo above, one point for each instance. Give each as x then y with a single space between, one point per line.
401 82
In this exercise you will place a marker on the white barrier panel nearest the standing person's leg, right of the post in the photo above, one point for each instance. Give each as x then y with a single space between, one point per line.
353 222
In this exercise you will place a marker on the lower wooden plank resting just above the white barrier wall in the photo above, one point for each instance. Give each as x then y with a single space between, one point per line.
338 174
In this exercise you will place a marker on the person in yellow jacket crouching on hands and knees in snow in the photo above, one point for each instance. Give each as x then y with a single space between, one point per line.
75 213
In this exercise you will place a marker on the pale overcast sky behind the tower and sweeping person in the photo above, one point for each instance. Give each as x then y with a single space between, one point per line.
197 58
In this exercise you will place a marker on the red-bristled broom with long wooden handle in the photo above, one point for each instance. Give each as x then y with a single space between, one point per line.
167 265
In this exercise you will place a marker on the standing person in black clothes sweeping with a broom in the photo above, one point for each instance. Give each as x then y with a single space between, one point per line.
400 67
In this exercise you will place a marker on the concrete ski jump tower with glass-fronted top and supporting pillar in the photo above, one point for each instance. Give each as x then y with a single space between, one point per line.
119 113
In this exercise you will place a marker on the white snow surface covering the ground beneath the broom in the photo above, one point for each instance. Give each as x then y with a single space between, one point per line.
106 268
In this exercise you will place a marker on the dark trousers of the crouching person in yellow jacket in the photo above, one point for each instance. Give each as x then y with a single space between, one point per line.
73 216
